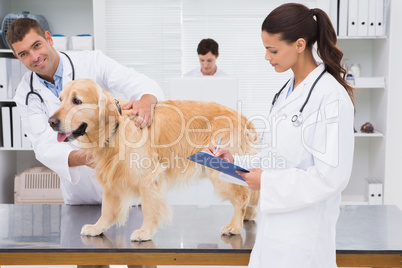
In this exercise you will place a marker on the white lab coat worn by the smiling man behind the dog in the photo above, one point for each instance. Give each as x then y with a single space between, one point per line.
78 184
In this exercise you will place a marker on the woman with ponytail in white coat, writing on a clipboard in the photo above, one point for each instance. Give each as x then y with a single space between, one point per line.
311 137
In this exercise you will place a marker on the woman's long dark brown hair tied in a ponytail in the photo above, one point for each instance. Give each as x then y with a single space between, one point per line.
293 21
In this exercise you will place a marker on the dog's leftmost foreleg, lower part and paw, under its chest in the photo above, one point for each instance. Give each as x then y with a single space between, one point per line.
114 208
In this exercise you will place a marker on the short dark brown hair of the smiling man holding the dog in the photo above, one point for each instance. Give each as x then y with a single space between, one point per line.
20 27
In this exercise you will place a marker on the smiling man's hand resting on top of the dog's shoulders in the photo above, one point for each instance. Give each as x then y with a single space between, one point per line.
142 110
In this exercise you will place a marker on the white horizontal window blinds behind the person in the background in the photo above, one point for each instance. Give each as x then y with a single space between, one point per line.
160 38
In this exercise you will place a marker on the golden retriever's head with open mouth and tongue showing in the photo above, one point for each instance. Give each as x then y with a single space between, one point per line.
85 109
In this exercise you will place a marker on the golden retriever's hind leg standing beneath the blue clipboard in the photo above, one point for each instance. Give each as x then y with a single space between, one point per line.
238 195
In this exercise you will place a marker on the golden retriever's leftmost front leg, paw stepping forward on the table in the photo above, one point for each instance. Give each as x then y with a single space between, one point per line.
111 209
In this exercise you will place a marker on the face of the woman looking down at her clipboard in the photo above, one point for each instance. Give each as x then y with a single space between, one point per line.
281 55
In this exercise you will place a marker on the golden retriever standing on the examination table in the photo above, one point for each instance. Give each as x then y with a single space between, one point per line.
131 162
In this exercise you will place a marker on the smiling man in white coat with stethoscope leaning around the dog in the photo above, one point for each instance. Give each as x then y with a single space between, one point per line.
37 98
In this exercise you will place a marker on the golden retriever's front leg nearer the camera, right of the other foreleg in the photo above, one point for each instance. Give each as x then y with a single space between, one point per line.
155 208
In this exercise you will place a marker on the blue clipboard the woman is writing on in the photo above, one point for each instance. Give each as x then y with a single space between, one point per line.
218 164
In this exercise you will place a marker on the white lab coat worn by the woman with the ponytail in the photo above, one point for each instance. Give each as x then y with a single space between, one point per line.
305 170
